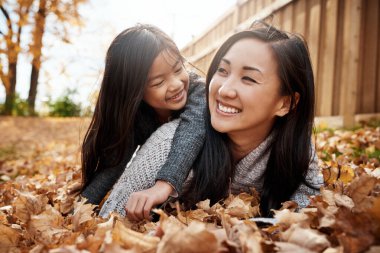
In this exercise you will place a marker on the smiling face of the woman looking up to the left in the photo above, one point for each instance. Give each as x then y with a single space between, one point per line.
244 93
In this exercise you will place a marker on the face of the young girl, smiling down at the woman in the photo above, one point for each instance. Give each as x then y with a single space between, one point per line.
167 87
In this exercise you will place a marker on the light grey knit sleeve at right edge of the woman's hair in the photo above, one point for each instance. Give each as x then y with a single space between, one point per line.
314 178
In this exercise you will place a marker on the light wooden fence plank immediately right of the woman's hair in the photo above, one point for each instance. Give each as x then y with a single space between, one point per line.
327 58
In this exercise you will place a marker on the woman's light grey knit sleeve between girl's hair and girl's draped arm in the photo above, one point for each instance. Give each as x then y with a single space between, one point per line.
141 171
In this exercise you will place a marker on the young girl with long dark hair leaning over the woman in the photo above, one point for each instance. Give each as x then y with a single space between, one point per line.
145 85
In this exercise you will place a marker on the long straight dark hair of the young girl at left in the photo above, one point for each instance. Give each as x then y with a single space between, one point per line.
122 120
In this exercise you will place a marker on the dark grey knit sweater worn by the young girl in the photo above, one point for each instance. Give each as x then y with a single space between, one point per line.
187 142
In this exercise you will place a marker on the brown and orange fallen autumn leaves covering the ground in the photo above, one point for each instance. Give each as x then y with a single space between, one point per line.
41 212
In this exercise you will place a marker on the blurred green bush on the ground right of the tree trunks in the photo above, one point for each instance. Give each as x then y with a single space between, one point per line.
65 106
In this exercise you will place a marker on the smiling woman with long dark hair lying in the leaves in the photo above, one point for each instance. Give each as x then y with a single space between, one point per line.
260 92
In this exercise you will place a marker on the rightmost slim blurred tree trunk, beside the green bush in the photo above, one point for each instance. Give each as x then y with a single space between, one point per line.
36 49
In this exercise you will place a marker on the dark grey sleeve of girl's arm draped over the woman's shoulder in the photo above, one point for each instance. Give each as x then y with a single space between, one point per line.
188 139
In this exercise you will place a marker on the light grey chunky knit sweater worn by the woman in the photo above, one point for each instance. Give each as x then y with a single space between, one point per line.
153 154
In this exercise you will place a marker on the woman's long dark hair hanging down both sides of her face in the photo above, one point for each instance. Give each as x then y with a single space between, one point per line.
291 147
